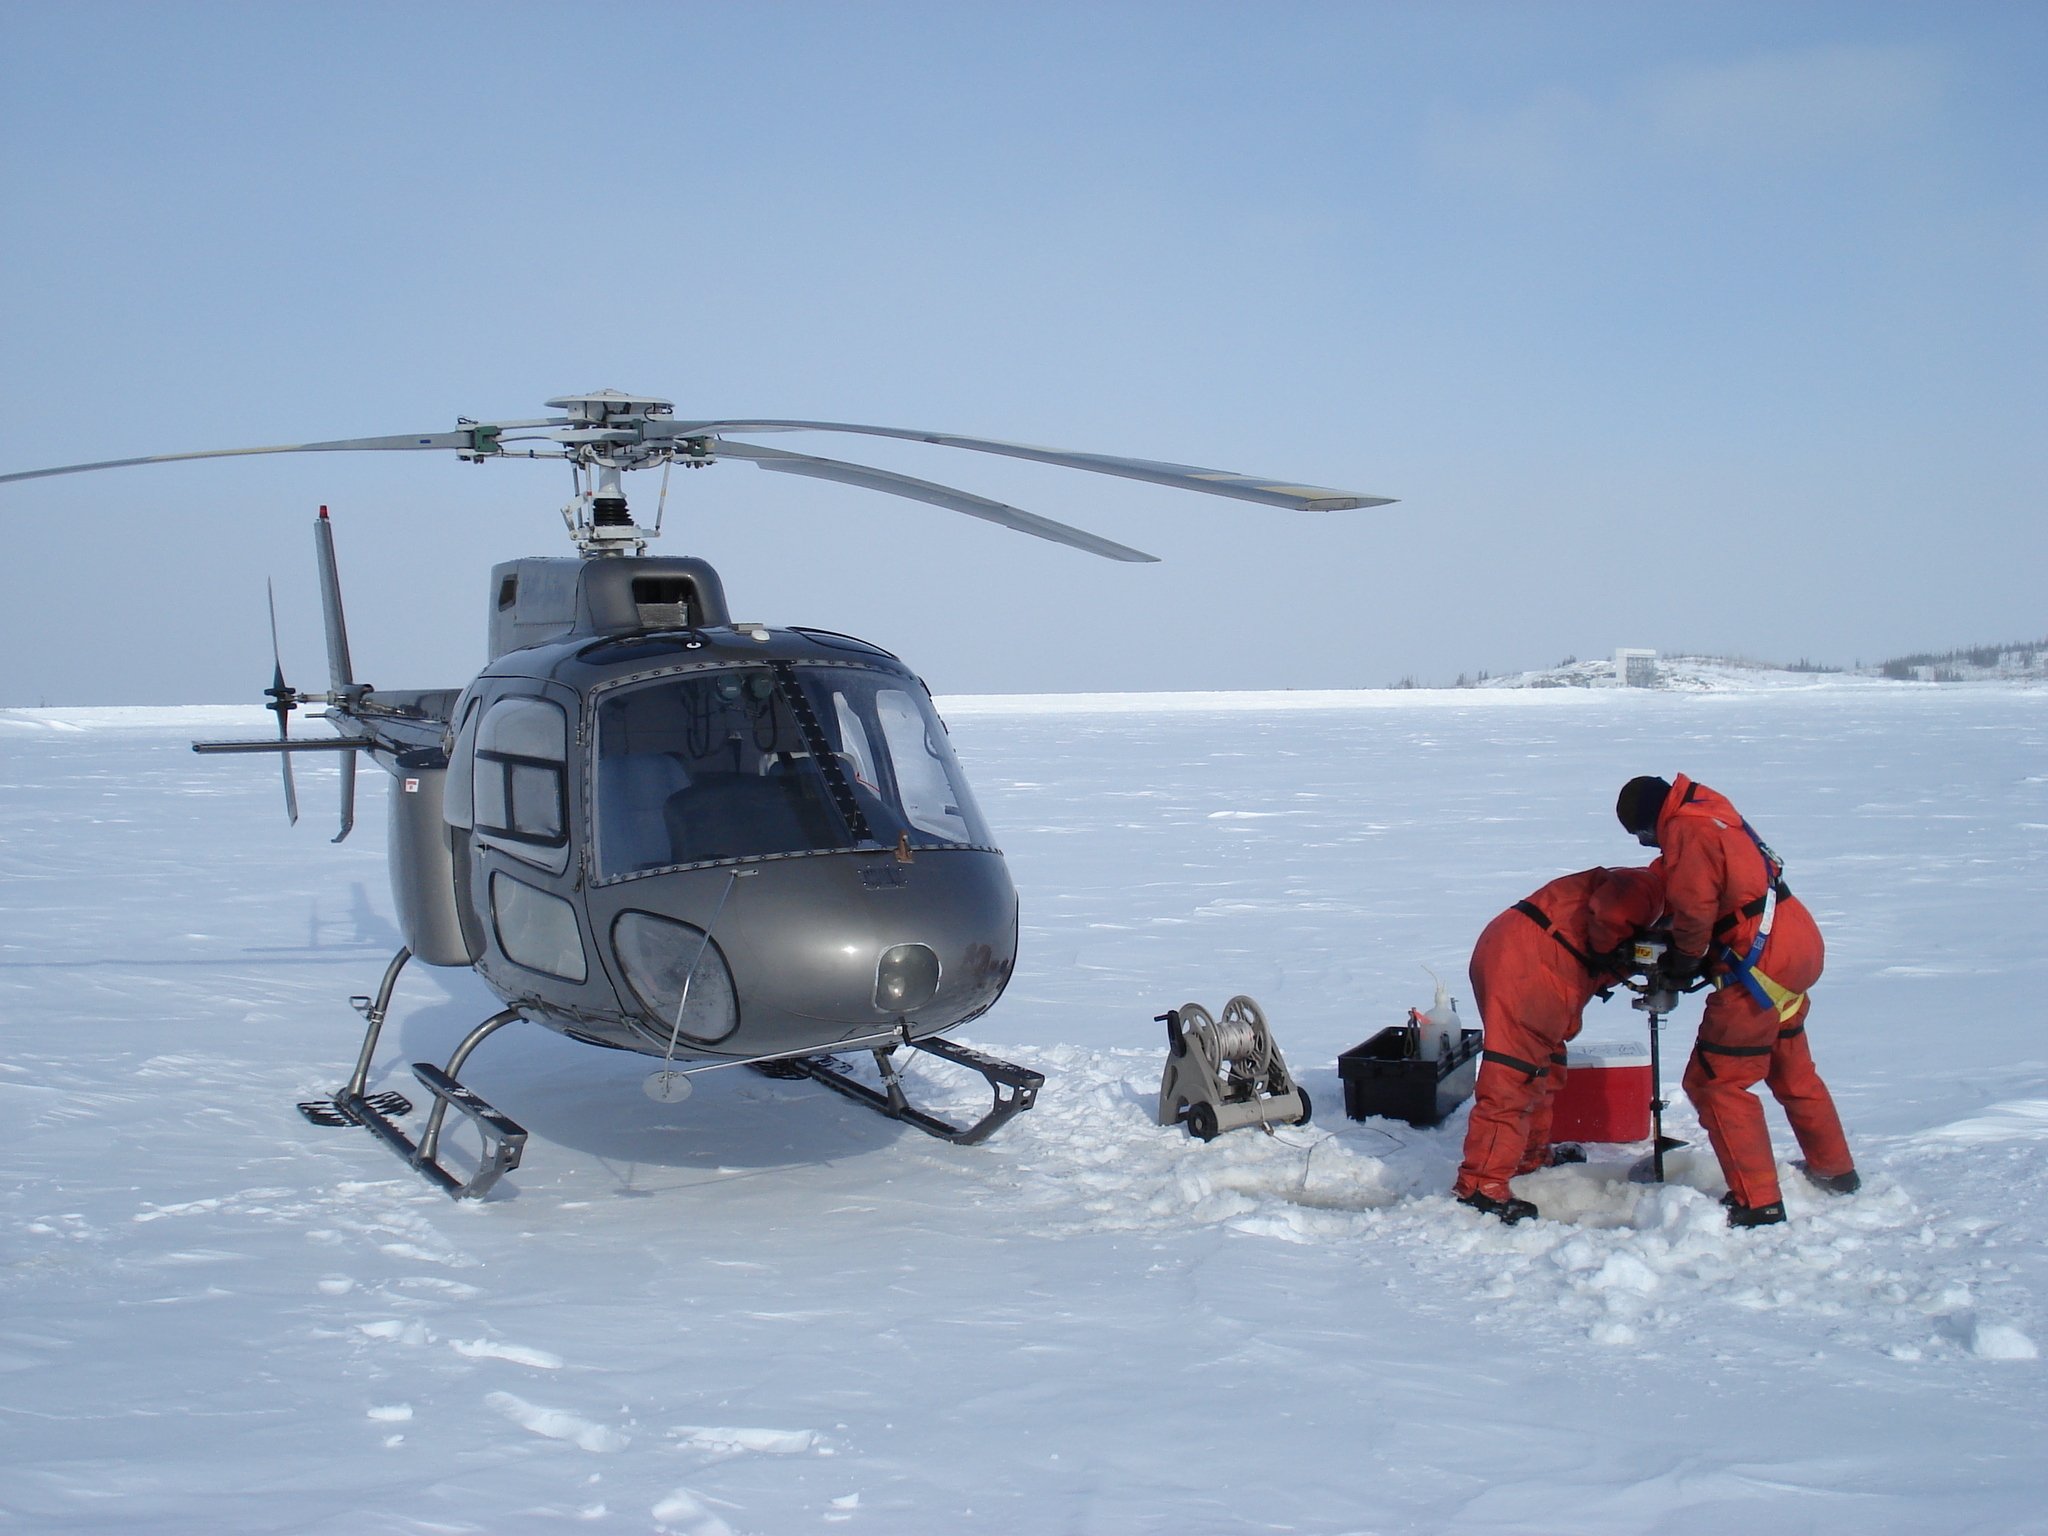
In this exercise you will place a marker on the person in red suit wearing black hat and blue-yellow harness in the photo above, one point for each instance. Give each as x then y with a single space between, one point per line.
1736 923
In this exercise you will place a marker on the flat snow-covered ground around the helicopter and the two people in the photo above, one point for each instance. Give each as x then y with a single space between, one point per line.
771 1312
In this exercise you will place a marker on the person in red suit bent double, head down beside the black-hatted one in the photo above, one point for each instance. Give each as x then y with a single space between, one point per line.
1535 970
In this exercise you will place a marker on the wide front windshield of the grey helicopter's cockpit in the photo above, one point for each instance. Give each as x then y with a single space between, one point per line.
742 763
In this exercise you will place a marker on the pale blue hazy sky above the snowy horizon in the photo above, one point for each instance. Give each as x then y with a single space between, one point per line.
1699 327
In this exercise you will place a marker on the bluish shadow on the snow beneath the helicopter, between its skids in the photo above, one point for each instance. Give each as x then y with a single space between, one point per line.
585 1099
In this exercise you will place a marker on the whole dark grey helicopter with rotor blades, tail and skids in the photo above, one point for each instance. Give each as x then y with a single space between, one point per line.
658 830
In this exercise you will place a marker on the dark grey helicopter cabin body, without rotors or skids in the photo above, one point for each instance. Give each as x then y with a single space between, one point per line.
654 830
